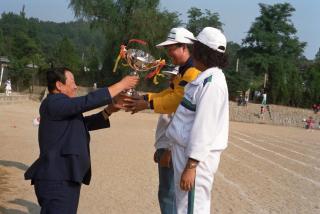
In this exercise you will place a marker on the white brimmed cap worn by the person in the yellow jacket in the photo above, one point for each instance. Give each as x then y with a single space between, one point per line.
178 35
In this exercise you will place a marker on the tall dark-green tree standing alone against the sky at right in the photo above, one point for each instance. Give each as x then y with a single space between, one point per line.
272 47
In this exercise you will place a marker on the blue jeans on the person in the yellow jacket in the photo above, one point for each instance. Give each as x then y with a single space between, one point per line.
166 194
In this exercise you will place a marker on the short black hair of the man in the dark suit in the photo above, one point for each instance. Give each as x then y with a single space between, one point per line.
54 75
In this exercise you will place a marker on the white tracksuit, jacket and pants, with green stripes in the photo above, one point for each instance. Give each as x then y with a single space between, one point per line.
199 130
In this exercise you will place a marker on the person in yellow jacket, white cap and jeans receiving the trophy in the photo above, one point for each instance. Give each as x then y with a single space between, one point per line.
166 103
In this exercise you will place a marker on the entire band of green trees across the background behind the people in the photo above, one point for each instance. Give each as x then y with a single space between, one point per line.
90 45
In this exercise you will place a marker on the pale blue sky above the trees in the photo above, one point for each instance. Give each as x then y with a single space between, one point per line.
236 15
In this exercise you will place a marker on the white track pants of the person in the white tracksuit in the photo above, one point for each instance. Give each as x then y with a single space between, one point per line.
203 182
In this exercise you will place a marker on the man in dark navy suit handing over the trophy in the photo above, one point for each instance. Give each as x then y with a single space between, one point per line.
64 161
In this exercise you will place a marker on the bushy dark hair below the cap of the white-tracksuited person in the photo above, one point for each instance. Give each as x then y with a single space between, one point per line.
209 57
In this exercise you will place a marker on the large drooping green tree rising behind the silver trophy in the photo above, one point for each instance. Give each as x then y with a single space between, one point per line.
122 20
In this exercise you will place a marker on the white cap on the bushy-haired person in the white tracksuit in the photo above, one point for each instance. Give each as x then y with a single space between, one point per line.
213 38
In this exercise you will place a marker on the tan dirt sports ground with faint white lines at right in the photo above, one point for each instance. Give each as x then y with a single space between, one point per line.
265 169
